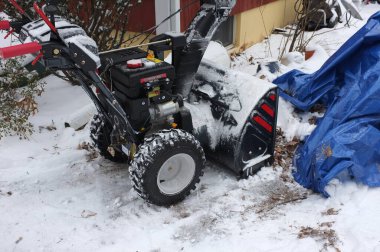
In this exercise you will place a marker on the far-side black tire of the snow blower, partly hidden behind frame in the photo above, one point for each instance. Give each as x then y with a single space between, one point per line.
99 132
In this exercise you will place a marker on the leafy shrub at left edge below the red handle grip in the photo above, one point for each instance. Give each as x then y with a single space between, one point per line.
18 88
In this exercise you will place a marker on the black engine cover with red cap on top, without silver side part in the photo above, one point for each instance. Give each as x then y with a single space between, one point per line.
140 84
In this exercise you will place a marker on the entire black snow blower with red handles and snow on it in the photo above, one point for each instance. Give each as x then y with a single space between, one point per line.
161 117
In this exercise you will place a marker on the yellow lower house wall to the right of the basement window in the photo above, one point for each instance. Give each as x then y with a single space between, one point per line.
254 25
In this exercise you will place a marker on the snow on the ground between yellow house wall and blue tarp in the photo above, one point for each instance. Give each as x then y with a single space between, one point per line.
326 41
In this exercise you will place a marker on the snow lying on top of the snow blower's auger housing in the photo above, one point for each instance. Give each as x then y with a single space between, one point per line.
241 98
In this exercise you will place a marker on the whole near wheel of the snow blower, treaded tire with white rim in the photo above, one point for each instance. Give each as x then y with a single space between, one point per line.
167 167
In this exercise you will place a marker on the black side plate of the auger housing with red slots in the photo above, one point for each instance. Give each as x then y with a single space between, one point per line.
255 141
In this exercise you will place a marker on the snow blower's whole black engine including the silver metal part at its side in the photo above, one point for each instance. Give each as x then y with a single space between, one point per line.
143 85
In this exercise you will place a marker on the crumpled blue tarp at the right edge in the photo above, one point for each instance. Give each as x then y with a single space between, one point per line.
346 142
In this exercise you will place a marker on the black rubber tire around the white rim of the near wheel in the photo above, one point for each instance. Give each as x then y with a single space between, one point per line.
153 153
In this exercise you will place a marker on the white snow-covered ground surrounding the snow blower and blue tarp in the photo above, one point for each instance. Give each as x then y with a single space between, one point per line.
55 196
